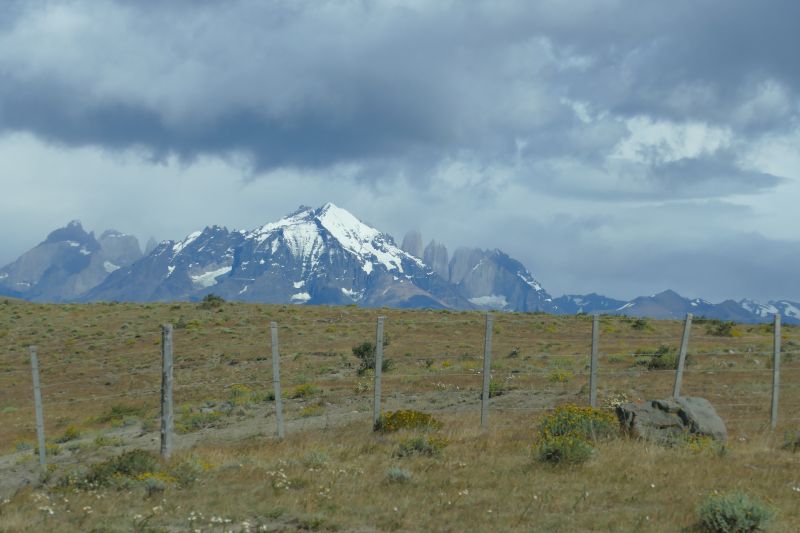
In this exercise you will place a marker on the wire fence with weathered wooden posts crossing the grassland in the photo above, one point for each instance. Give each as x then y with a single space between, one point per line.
184 373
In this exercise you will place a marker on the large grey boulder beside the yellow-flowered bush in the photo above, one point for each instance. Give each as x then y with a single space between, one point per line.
668 420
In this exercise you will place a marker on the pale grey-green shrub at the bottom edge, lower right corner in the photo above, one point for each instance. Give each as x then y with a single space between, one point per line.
733 513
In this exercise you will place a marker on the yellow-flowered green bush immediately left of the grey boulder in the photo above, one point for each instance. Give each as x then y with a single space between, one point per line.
566 435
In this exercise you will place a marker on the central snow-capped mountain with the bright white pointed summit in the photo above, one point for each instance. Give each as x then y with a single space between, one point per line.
316 256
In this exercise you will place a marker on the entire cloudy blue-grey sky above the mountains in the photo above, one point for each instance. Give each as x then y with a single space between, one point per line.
614 146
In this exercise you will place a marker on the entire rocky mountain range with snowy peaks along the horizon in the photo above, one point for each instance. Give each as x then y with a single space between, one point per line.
319 256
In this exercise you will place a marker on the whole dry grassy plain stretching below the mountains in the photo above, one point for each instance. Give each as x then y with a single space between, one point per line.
100 372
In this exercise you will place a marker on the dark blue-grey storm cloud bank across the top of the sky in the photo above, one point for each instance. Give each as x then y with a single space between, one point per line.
403 86
